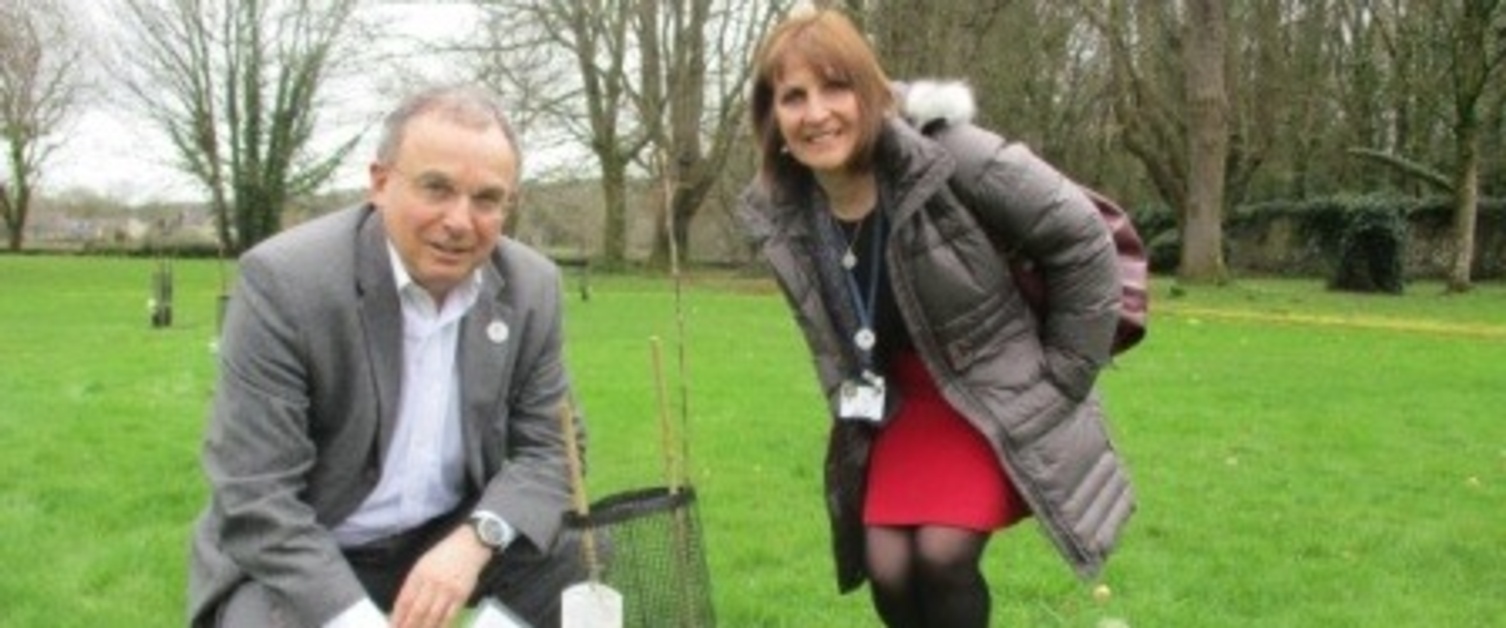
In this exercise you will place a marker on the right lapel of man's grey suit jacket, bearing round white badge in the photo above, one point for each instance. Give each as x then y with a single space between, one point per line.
487 338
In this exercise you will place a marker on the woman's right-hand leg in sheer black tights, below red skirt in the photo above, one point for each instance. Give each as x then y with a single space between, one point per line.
947 573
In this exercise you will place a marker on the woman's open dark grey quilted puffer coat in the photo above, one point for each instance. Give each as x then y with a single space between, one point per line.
957 198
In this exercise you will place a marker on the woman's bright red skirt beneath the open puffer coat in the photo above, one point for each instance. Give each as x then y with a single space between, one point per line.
930 468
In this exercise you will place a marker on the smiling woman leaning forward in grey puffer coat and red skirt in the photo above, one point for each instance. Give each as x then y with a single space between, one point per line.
956 410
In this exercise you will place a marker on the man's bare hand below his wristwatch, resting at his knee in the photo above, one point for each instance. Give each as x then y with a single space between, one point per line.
442 582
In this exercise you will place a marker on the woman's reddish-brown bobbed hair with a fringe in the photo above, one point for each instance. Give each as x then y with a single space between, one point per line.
835 49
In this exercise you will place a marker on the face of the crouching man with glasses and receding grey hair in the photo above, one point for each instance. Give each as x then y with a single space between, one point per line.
445 197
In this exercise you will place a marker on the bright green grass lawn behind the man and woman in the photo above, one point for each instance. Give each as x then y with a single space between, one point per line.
1303 459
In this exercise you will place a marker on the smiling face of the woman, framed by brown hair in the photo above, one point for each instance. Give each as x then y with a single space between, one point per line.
819 118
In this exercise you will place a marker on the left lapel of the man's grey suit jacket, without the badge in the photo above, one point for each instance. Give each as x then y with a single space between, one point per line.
382 319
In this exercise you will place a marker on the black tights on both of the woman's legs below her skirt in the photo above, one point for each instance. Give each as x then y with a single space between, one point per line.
928 578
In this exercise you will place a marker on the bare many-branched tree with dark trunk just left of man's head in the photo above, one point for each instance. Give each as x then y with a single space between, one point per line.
237 90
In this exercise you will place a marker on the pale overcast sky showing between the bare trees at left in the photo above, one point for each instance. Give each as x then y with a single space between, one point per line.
112 151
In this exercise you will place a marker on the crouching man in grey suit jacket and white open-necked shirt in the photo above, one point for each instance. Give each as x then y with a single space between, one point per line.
385 445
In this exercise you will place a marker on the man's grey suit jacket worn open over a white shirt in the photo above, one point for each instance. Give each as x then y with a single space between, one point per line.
311 367
